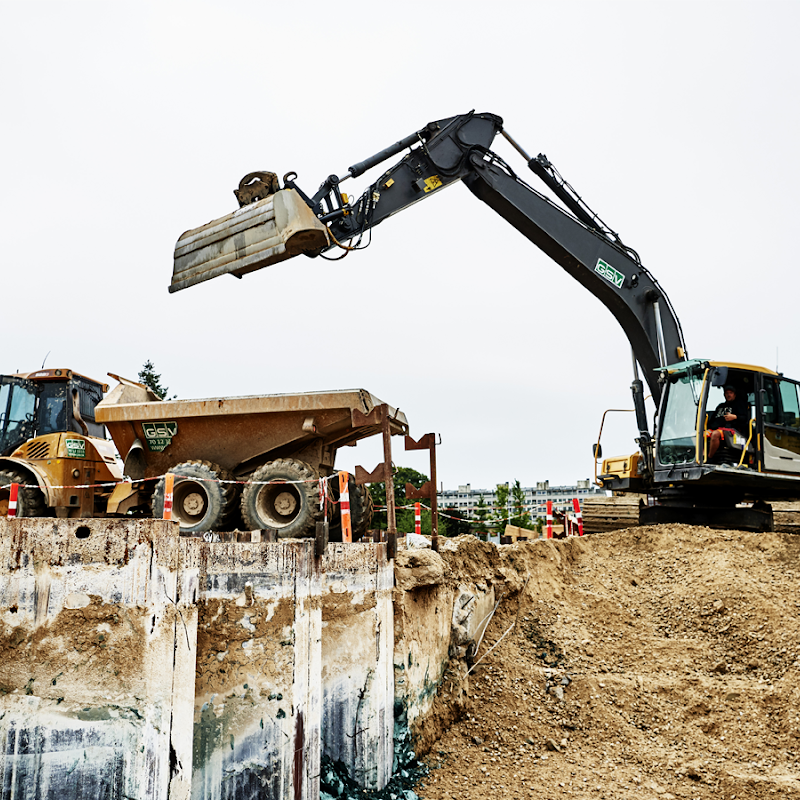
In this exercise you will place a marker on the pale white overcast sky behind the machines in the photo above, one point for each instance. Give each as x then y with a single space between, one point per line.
125 124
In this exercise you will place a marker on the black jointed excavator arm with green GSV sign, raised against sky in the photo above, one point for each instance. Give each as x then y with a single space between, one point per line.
458 149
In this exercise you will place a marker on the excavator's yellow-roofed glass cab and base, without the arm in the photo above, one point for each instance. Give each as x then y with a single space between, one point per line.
758 459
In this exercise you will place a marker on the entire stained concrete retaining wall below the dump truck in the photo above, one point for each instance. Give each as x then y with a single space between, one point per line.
138 664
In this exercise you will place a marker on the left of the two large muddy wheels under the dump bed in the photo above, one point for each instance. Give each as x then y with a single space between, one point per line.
199 501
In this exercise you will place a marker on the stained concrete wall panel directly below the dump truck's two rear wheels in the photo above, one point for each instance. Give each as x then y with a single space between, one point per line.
257 690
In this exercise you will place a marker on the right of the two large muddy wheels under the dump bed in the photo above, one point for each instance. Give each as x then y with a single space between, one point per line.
287 501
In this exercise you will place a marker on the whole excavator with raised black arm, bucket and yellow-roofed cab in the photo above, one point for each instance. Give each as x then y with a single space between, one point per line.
758 461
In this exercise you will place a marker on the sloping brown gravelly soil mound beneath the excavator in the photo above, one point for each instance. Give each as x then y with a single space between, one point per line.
658 662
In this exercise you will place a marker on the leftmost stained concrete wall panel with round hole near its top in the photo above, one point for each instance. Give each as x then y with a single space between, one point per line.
97 661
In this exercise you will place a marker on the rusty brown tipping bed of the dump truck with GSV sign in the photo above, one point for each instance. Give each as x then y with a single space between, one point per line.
240 433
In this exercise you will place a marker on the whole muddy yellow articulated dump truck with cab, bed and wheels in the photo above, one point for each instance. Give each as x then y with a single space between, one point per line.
253 462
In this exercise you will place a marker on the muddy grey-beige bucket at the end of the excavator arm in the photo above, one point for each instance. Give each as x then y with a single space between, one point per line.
255 236
